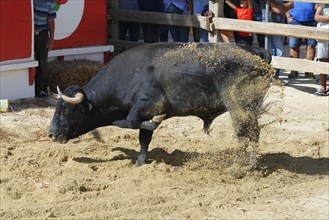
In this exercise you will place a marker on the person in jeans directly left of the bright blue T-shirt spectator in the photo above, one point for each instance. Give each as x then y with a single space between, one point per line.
277 15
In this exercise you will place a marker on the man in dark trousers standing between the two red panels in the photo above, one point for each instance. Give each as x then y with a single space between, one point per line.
44 30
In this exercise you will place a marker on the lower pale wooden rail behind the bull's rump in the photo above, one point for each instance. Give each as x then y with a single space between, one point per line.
300 65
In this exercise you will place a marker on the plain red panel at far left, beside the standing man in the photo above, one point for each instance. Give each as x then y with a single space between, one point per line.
15 29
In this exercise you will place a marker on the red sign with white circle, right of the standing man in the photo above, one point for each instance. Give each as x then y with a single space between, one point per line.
80 23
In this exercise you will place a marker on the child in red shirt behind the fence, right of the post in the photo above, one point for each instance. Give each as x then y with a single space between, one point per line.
244 12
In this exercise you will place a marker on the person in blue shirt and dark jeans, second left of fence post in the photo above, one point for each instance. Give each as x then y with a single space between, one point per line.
178 33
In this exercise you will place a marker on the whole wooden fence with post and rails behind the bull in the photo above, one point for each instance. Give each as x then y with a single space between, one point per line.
220 23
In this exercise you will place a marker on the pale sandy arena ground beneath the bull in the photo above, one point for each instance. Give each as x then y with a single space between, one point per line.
187 176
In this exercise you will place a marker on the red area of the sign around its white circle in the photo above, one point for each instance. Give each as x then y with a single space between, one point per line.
92 28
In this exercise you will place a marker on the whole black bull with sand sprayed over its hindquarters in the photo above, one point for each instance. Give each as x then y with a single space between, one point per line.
145 85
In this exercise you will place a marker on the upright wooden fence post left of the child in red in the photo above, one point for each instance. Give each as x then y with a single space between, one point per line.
215 10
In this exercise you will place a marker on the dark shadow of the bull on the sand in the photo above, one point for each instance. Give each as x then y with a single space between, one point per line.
270 162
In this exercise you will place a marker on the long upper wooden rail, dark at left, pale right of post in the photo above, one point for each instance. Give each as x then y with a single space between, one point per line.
222 23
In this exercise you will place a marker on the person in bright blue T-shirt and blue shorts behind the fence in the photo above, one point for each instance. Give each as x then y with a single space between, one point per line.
302 14
